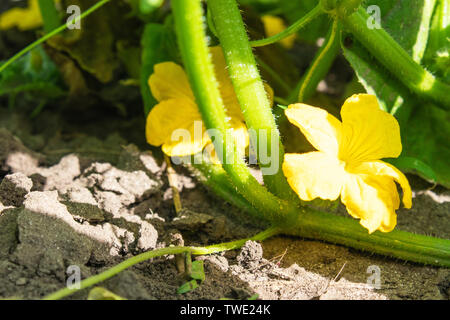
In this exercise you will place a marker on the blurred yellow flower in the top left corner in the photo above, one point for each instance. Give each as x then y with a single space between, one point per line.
22 18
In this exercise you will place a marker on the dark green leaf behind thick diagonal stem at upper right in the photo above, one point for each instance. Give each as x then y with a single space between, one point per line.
424 128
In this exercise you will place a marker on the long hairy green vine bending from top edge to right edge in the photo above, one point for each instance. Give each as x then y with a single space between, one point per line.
292 220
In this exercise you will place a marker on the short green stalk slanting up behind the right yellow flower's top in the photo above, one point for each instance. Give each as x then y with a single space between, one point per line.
321 64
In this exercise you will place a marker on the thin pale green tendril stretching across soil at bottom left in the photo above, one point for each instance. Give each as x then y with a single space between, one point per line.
158 253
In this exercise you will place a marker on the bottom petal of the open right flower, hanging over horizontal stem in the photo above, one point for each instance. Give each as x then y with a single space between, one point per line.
372 199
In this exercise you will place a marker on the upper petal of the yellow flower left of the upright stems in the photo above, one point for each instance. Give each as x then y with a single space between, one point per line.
169 81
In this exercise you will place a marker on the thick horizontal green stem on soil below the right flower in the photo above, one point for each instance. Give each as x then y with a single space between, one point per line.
399 244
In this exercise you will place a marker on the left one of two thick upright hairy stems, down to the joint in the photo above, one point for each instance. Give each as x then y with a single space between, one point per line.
193 45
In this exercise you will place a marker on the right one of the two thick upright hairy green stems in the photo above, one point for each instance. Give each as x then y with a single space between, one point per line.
251 94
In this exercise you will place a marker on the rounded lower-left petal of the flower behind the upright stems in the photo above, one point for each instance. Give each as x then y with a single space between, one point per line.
168 116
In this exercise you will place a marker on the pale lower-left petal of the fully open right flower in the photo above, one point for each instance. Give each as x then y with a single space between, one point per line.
314 174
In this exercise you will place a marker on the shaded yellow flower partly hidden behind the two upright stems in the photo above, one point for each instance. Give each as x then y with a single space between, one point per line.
177 109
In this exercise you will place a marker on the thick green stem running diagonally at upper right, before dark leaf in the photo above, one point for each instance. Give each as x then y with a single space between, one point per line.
386 50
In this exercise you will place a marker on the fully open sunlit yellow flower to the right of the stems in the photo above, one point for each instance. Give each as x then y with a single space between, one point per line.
347 163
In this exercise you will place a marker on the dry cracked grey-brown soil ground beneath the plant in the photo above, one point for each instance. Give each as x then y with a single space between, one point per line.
84 190
